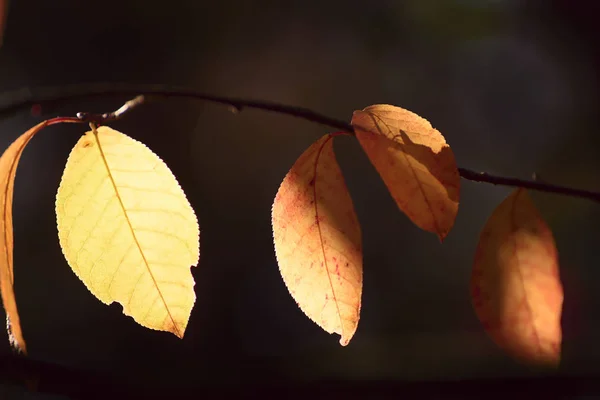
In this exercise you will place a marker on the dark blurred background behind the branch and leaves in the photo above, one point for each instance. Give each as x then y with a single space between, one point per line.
513 86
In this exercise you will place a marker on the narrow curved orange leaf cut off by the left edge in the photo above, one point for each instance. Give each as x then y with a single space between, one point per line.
8 168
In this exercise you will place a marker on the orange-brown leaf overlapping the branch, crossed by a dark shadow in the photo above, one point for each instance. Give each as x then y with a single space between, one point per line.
415 163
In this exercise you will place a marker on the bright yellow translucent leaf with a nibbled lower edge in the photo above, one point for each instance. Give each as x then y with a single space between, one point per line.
127 229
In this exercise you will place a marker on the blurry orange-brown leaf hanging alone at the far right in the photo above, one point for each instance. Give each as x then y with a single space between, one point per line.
515 286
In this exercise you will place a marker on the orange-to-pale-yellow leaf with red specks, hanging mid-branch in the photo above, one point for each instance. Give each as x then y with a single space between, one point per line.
318 241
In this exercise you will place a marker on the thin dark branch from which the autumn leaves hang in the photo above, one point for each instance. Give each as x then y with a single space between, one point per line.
33 97
